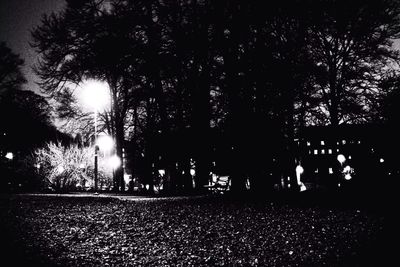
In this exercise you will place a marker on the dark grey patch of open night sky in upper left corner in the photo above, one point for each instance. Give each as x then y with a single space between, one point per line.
17 18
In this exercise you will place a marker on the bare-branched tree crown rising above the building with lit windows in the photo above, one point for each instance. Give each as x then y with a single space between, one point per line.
352 49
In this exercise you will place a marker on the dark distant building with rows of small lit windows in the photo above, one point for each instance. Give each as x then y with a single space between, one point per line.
366 161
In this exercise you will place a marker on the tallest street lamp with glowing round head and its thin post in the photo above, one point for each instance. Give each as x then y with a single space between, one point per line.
96 95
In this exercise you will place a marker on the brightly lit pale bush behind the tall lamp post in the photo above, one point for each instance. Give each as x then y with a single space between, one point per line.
71 167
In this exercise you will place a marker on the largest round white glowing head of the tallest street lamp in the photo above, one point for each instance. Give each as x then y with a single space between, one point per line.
95 94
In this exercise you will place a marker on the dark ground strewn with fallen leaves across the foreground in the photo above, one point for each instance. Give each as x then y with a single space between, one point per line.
193 232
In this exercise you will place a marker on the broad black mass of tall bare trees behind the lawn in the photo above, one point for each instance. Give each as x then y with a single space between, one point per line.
220 87
